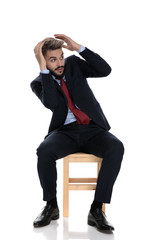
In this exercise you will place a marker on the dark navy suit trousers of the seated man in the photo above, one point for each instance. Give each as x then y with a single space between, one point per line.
70 139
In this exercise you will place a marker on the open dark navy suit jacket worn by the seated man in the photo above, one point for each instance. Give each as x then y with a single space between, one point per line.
76 72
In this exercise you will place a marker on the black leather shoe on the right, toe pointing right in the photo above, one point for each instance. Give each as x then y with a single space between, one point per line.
97 218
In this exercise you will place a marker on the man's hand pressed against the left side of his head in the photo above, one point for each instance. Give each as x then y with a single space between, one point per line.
39 56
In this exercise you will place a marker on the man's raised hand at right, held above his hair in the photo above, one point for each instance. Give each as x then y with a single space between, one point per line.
71 45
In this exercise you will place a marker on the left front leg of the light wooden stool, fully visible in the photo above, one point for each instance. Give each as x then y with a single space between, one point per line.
65 187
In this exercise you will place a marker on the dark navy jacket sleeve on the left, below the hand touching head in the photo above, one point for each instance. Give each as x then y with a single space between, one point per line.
45 89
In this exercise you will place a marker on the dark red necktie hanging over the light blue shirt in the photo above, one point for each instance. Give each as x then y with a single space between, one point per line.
80 116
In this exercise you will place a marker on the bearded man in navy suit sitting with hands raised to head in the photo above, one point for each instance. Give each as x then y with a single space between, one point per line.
78 123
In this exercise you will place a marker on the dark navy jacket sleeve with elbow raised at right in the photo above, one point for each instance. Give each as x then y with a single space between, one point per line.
93 65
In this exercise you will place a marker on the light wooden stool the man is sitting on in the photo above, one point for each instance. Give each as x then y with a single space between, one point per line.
78 183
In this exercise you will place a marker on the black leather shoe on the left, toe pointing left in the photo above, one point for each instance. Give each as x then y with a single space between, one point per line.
44 218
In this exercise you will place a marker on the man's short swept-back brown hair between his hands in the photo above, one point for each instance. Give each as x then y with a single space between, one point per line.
51 44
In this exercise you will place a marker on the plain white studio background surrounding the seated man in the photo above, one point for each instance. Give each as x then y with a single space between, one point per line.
126 34
